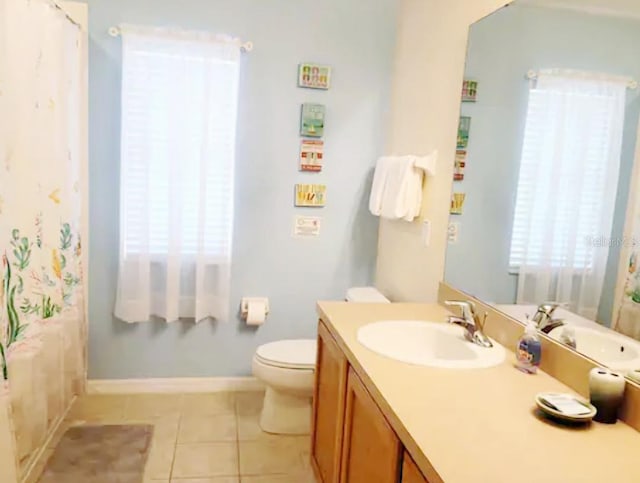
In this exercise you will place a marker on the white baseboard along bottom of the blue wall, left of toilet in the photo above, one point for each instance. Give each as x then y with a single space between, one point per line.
173 385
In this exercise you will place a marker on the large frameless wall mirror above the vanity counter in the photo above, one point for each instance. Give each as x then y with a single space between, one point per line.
543 201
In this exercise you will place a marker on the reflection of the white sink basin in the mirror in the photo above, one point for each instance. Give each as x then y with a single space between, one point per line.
608 348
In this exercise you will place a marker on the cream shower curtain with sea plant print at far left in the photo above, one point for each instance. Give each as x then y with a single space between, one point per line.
42 323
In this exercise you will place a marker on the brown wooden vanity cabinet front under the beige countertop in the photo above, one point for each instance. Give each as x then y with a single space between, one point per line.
352 441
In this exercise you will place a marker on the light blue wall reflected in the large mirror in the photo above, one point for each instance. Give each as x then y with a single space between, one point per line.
502 48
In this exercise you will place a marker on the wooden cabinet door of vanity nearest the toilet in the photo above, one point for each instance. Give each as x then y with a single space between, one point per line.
328 408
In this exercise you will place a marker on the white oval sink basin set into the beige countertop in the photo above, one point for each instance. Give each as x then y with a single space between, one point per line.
423 343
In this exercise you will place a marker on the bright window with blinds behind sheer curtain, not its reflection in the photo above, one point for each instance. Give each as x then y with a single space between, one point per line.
178 146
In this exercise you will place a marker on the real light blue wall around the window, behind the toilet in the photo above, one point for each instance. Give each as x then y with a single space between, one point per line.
357 38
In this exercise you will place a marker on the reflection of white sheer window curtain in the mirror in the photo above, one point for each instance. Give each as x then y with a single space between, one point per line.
567 188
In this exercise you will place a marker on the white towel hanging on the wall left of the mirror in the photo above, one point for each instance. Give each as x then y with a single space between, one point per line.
396 192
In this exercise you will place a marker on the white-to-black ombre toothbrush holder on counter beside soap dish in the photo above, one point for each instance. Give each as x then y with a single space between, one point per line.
606 390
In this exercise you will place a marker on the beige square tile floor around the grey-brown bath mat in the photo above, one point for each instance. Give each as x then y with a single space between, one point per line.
201 438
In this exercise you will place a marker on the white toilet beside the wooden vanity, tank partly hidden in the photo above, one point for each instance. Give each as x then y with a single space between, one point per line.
287 369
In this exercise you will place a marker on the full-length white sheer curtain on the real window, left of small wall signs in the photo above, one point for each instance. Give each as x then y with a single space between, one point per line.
179 105
